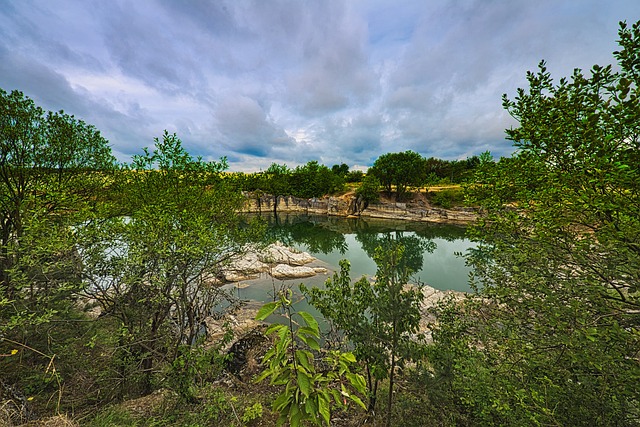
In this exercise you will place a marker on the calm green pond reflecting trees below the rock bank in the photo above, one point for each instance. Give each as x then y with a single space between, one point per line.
432 250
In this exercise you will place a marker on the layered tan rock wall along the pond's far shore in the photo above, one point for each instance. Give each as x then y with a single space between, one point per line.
418 209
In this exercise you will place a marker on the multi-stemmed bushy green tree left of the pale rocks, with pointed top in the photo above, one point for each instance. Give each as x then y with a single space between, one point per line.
155 269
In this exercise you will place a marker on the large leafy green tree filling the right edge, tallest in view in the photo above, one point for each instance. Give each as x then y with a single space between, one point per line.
554 332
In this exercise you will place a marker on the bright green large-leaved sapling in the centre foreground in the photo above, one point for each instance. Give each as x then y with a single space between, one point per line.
309 393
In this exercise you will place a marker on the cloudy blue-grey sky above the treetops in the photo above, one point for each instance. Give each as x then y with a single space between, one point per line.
290 81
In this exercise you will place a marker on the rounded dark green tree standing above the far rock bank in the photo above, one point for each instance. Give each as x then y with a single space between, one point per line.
399 170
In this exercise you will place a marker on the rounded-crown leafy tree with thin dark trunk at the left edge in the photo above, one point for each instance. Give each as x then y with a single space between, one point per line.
44 160
